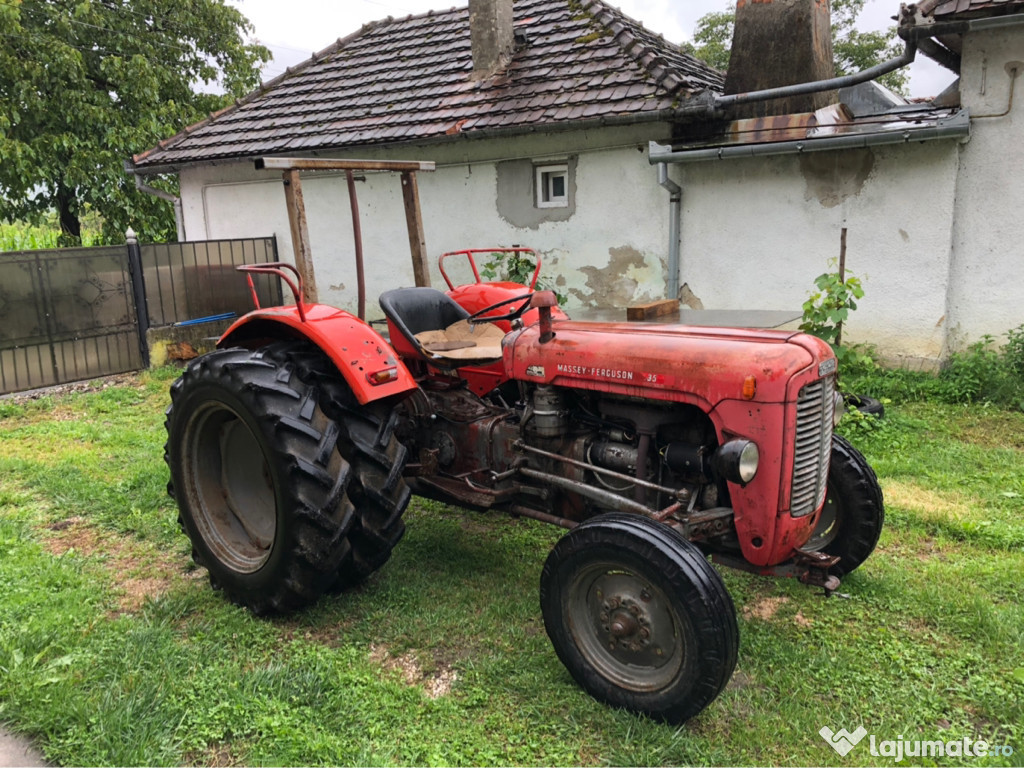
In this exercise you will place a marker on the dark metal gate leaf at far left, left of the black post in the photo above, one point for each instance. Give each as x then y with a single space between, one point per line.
66 316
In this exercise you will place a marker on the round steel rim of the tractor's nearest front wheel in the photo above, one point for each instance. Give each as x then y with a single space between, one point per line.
626 627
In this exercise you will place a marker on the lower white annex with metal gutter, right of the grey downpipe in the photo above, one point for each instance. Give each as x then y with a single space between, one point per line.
927 194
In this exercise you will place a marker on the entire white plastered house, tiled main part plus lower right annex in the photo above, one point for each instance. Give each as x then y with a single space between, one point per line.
545 125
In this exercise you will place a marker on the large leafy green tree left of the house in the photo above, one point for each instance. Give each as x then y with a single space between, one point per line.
84 84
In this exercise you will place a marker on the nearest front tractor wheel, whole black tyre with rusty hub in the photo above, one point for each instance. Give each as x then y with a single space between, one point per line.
639 618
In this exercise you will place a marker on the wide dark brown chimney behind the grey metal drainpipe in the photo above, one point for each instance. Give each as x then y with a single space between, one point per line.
781 44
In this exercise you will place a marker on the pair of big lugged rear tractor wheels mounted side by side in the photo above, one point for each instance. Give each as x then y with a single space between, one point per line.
286 486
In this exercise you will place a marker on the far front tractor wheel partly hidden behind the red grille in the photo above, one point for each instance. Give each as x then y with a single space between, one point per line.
855 511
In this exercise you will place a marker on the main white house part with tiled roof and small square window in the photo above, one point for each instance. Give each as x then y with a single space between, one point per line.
541 143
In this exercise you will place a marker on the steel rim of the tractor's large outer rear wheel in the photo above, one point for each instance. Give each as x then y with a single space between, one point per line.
232 489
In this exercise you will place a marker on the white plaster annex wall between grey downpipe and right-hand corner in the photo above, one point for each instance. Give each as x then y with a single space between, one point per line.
758 232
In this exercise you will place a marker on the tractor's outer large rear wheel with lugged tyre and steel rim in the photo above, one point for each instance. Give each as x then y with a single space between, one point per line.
260 481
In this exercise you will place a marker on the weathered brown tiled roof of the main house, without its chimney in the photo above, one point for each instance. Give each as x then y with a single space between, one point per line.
409 80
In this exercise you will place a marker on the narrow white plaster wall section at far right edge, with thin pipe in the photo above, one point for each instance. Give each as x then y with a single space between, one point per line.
987 282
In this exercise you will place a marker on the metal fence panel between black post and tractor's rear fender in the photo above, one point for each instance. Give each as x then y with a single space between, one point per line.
190 281
